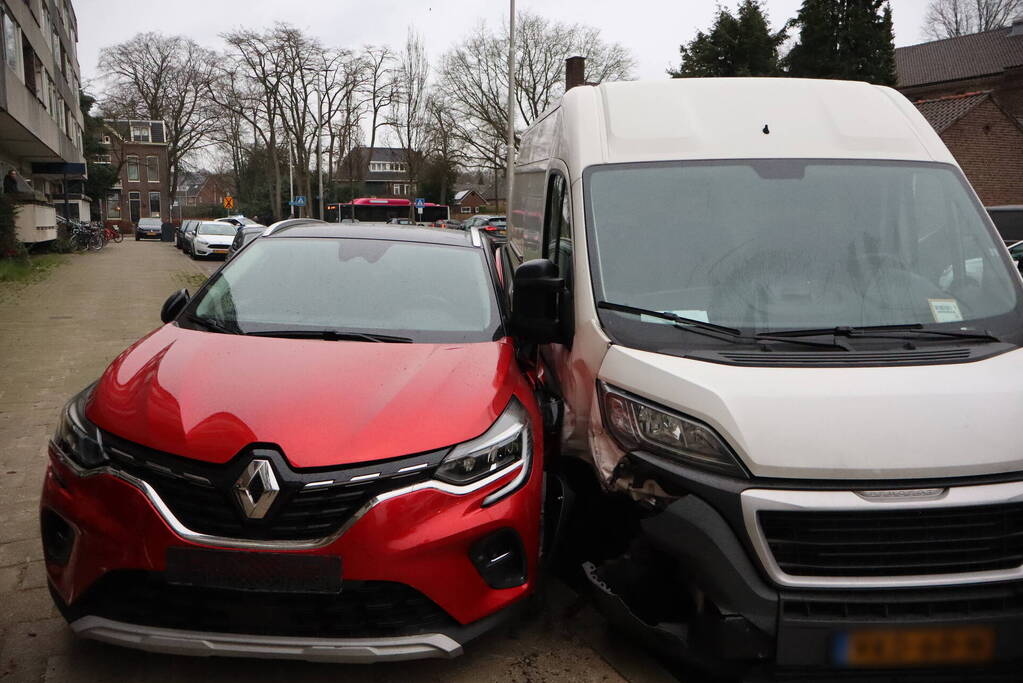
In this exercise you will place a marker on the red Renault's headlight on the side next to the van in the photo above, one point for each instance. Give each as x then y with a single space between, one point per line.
505 447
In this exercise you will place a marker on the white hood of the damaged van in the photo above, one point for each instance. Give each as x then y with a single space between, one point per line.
847 424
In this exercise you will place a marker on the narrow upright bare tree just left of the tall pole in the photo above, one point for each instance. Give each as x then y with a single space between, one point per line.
409 116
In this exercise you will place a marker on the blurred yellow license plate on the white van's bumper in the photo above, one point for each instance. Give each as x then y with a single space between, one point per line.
916 648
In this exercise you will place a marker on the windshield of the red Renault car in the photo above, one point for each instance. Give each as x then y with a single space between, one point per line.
289 285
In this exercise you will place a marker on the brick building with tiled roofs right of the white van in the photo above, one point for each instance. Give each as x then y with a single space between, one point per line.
971 90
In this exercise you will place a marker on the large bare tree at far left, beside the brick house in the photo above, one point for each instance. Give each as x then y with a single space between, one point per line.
162 78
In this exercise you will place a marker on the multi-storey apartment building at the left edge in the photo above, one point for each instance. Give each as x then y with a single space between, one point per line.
41 121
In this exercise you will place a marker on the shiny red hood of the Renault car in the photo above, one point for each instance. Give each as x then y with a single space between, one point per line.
207 396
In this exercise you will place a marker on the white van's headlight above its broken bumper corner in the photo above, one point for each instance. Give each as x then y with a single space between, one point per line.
637 424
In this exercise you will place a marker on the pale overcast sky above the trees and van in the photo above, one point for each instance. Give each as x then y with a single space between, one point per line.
652 29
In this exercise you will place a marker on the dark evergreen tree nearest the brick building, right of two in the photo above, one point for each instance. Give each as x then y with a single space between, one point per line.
844 39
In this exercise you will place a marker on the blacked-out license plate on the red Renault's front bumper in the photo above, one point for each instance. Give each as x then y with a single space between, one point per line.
265 572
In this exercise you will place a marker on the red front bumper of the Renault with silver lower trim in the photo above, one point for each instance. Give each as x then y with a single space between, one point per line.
417 544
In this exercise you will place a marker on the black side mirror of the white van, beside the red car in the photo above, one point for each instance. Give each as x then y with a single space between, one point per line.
536 297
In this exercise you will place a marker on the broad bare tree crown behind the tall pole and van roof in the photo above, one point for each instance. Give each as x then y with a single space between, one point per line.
476 75
